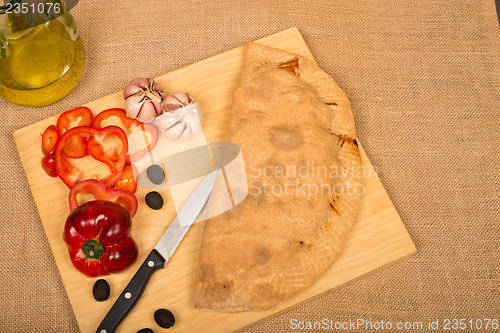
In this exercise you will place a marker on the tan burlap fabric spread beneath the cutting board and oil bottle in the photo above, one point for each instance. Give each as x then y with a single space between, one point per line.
424 81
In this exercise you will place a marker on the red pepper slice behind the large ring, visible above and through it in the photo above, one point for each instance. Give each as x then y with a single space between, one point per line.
79 116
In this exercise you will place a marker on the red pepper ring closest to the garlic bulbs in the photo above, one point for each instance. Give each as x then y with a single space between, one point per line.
131 125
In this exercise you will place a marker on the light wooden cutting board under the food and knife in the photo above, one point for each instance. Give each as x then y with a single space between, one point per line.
377 239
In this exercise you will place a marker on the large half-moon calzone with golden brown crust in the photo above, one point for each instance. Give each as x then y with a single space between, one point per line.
273 245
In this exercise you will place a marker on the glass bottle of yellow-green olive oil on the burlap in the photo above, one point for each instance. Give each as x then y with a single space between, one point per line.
41 64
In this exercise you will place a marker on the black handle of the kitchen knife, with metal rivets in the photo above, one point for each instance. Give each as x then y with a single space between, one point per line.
131 293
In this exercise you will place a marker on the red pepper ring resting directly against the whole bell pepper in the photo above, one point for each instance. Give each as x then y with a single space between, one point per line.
101 191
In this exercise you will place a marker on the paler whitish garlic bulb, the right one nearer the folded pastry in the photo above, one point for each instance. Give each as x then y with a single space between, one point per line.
181 118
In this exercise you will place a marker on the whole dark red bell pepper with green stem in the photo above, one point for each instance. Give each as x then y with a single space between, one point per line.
97 235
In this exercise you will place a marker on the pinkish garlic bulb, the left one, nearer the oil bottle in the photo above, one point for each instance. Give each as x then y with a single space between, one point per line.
143 99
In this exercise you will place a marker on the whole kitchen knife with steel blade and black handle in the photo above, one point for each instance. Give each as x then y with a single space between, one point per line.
159 256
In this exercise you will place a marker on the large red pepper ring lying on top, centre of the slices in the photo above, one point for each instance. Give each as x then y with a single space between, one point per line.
69 174
